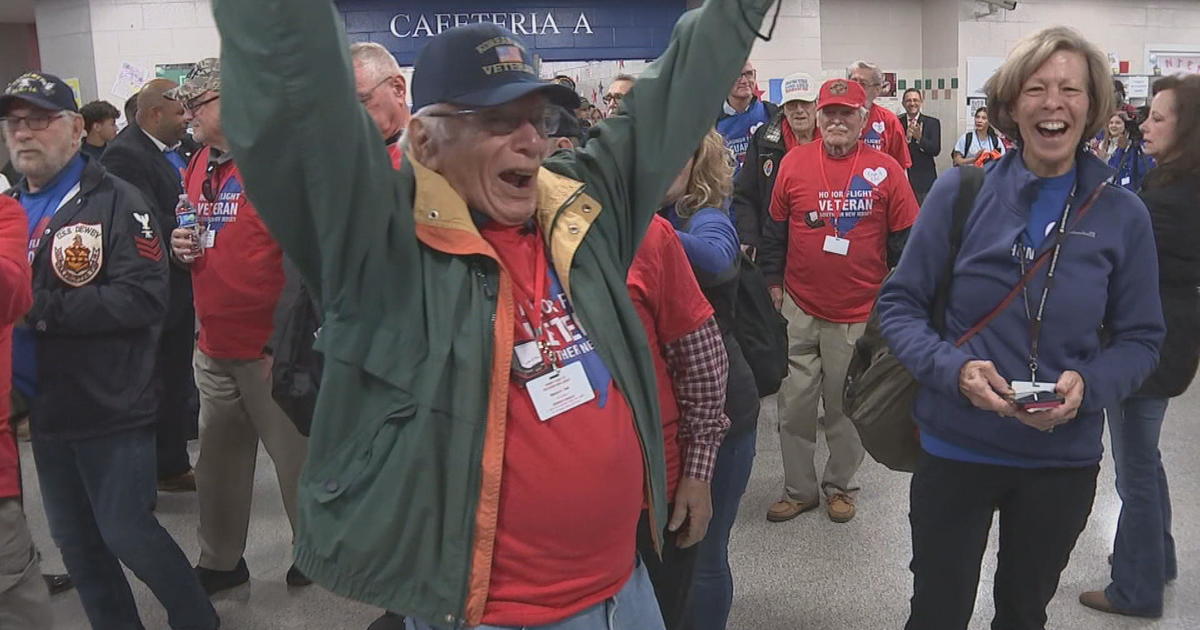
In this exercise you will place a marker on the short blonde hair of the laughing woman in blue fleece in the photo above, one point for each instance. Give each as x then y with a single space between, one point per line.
1005 87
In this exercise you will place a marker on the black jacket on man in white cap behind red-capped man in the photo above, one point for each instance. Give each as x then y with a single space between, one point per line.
754 183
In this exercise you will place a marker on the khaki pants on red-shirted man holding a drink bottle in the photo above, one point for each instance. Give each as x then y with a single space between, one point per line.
237 411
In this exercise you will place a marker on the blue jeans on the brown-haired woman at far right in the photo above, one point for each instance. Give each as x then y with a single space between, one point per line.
1144 551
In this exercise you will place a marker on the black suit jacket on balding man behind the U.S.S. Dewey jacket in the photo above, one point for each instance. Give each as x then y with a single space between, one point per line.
136 159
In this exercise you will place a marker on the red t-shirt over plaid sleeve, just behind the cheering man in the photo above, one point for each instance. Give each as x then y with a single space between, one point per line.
671 305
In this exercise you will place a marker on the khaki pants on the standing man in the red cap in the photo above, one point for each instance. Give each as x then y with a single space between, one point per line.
818 353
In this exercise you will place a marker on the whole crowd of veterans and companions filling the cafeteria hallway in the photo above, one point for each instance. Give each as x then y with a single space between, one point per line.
507 351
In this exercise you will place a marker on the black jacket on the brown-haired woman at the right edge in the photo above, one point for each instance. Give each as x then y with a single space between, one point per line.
1175 215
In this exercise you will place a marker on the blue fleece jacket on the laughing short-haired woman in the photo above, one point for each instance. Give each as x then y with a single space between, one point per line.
1108 277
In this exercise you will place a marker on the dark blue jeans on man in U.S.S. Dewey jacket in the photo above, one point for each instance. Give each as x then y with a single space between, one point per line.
98 496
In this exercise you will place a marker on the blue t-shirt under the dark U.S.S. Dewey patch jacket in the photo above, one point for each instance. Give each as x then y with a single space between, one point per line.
40 208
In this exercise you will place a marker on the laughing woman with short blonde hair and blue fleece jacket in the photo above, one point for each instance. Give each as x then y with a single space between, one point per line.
1046 213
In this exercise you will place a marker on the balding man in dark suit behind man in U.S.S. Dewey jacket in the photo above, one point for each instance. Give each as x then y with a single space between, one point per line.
151 154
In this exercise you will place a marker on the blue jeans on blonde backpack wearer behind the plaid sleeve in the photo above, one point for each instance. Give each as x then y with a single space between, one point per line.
712 589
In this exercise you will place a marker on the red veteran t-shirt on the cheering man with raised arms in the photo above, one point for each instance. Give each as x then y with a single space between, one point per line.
573 485
